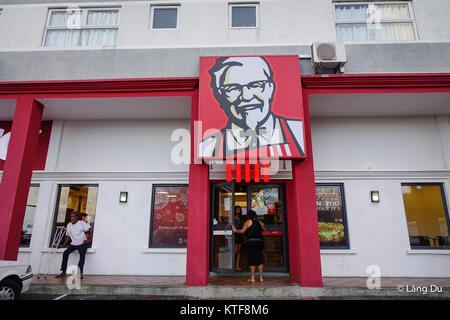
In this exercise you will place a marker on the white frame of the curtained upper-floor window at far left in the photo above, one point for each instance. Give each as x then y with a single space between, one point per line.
83 25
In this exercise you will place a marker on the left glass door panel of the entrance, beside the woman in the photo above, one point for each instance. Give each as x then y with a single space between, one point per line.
222 234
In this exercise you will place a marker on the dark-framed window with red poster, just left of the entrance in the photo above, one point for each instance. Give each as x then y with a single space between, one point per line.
169 216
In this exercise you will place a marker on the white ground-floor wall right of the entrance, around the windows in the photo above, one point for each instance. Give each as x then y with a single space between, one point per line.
368 154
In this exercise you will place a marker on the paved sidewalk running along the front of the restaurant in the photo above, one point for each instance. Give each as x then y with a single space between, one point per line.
222 287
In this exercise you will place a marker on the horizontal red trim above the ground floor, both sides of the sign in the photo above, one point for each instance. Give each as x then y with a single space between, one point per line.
334 83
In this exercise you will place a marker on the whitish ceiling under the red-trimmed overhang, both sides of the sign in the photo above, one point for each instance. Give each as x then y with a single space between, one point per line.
321 105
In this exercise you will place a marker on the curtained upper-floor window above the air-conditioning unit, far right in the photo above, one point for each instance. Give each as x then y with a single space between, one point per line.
375 21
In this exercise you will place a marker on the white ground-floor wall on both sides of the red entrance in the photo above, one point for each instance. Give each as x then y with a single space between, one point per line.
403 149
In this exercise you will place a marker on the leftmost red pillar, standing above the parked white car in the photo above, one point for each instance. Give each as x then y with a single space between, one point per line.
17 174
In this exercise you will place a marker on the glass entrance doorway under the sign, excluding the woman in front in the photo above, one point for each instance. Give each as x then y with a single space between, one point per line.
268 201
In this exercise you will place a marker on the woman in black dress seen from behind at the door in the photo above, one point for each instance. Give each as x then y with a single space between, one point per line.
253 229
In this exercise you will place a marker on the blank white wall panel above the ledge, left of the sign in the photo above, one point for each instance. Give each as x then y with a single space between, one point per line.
119 145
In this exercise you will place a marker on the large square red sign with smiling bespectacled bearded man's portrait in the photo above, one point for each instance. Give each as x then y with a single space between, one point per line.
251 107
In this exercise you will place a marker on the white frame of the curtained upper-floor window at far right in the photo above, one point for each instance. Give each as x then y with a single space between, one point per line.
412 19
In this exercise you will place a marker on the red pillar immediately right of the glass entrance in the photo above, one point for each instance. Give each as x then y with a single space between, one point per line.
304 245
